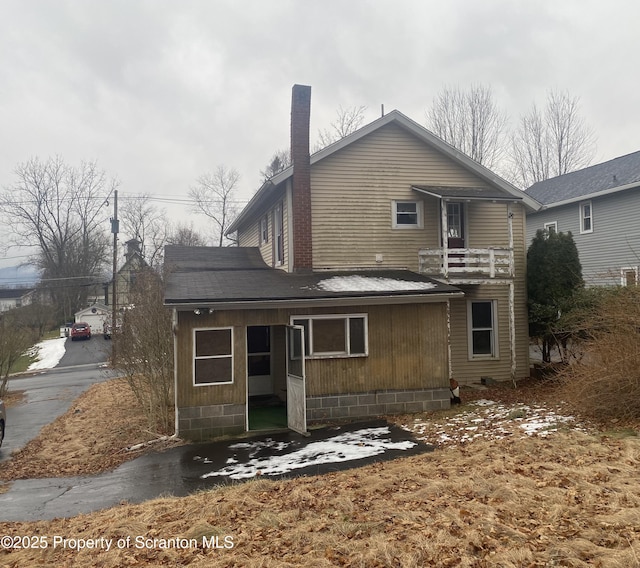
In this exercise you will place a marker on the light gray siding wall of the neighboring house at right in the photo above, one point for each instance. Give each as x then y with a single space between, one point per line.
614 242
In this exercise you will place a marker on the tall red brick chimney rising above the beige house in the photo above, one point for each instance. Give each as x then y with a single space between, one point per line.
301 191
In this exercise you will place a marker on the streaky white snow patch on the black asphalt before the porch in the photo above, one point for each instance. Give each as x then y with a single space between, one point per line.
355 445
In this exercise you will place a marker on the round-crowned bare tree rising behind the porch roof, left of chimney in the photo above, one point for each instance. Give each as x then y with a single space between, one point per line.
214 196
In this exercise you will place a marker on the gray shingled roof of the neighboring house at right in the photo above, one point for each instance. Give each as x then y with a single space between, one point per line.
608 176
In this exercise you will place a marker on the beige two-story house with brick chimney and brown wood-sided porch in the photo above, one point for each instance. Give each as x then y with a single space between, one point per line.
367 276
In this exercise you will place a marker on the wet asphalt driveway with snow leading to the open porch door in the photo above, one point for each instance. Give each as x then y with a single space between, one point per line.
186 469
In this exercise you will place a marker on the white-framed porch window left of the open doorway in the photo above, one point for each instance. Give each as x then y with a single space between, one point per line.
213 356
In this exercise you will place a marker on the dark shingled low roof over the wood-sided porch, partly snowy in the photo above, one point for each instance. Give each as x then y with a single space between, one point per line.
211 275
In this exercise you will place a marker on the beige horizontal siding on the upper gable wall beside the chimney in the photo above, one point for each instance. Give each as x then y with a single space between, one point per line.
352 200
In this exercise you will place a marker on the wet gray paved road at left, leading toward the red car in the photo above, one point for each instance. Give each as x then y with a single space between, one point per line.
48 394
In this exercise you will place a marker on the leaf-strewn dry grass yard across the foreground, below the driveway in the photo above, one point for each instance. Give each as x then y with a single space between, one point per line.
516 481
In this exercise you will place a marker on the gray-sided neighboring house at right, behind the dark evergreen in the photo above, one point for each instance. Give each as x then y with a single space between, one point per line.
600 206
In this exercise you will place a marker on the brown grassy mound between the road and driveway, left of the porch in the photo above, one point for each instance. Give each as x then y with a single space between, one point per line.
93 436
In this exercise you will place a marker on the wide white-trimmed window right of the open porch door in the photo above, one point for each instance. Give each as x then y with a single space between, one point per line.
337 335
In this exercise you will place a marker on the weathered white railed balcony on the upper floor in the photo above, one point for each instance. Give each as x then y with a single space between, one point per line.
467 263
